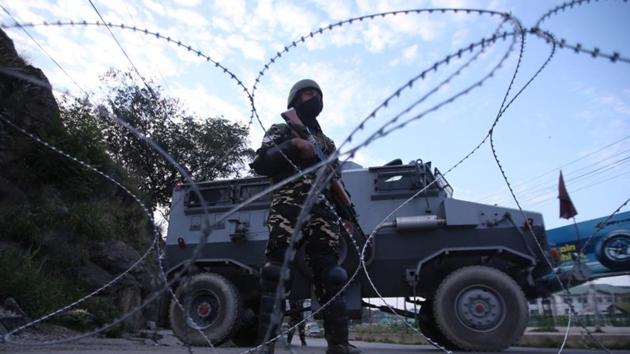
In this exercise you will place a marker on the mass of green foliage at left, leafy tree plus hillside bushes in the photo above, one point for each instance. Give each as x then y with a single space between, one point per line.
68 206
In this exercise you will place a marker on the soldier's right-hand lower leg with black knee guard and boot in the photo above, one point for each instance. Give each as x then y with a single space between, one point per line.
332 278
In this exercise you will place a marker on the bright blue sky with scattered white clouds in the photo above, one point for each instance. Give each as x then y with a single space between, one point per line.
574 116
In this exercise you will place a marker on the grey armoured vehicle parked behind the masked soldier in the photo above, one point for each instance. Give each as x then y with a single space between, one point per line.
475 265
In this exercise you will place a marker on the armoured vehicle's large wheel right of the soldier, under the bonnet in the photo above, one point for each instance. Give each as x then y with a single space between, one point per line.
479 308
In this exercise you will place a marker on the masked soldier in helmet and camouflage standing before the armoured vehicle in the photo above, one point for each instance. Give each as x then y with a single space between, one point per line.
281 155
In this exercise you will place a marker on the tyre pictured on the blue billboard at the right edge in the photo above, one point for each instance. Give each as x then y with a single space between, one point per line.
613 251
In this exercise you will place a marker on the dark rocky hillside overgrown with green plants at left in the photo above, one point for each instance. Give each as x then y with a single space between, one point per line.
64 230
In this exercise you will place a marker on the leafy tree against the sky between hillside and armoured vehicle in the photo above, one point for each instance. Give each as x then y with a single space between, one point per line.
207 148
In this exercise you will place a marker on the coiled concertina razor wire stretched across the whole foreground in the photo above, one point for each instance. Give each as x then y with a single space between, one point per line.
322 179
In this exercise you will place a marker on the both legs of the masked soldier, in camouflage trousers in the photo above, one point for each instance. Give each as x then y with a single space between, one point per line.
321 234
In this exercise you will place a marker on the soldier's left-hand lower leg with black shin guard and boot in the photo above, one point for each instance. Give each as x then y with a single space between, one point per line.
269 279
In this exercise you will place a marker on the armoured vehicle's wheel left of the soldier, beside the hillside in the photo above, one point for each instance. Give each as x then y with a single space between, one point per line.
212 306
